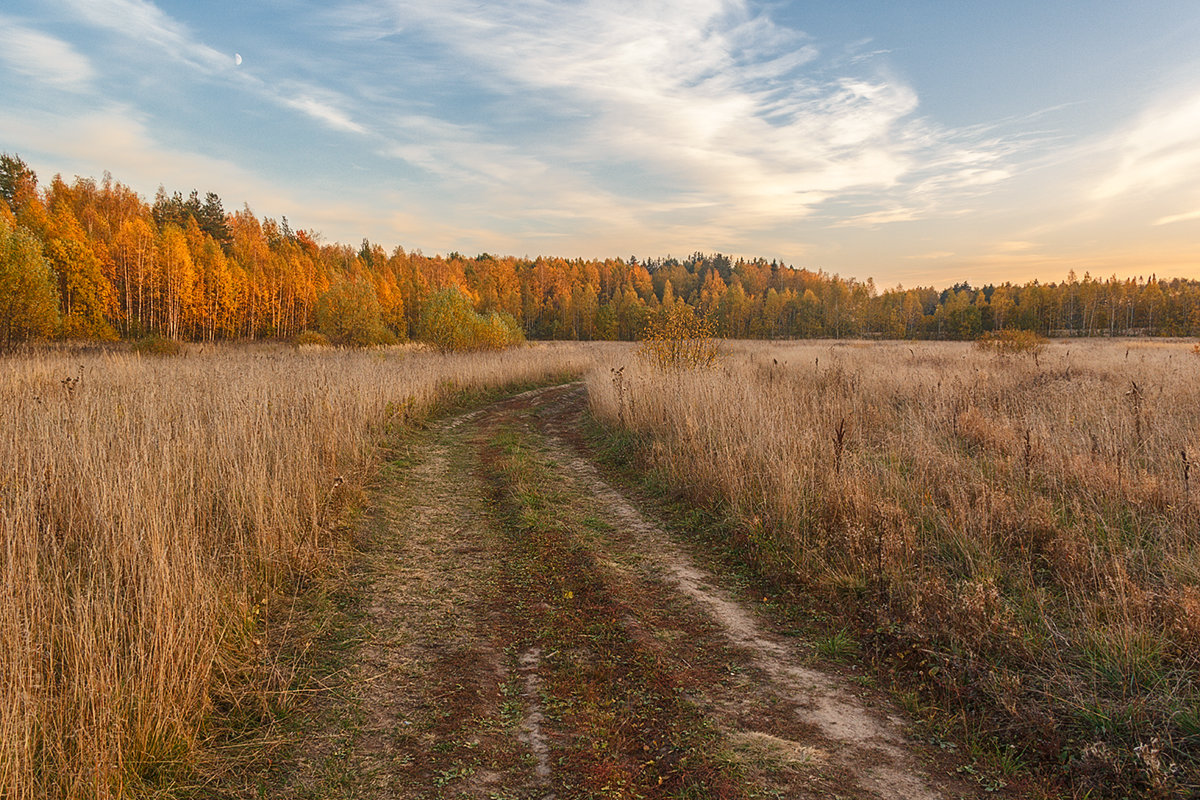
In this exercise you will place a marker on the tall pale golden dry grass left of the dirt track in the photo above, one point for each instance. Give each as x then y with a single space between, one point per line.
148 504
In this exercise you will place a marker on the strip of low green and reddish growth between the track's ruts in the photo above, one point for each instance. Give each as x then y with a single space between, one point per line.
632 731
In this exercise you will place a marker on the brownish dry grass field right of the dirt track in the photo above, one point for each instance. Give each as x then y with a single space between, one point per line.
1019 536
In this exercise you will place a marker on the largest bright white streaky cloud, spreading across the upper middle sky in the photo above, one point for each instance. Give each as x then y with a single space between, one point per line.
694 98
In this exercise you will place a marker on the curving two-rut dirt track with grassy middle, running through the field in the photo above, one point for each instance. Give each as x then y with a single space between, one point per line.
521 629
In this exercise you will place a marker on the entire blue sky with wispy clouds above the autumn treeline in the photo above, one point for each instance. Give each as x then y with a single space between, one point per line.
917 143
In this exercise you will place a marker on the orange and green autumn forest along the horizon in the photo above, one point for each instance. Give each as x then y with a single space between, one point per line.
95 261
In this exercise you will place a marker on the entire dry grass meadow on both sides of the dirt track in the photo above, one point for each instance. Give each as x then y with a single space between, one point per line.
1011 539
